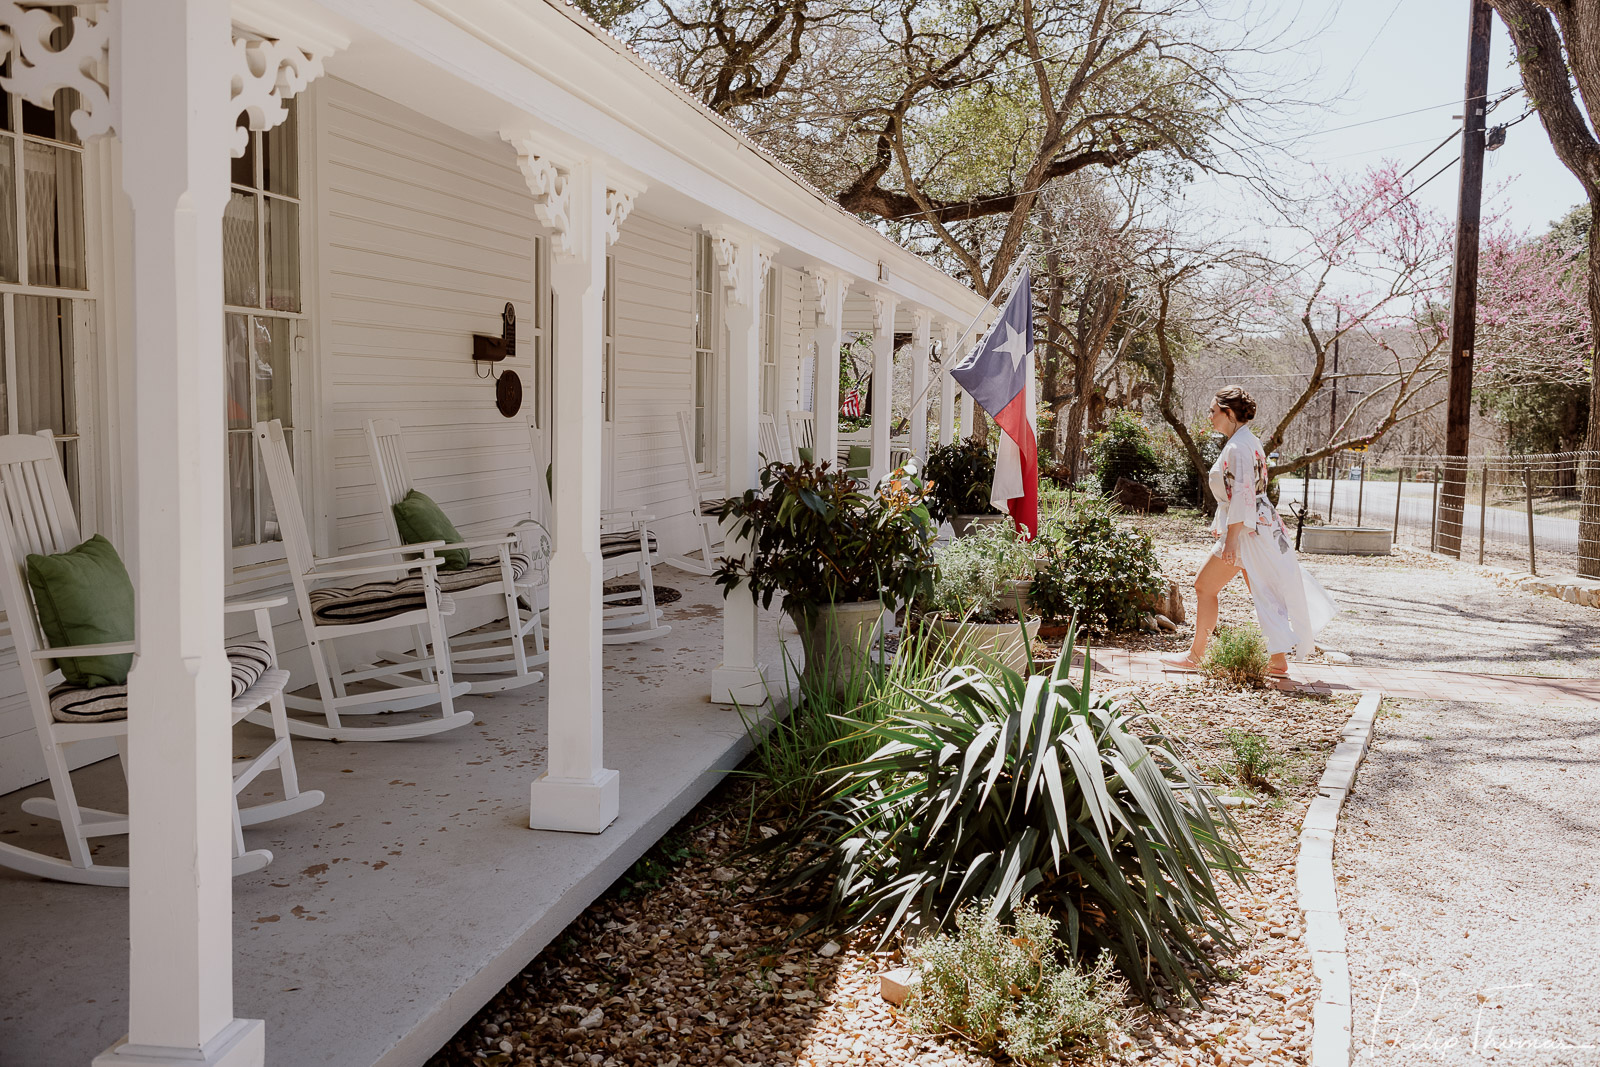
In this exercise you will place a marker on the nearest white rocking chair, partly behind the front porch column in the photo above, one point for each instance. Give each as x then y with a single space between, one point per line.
36 516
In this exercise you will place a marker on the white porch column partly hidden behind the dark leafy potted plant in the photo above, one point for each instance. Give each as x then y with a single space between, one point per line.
745 265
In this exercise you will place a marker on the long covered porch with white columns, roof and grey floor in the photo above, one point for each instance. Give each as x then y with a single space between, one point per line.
401 174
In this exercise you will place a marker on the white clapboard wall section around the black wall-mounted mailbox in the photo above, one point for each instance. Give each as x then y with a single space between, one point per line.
425 236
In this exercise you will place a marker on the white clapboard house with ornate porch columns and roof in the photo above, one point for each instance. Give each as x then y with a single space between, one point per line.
305 210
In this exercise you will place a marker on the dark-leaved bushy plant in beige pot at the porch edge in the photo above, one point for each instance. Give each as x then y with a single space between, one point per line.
836 553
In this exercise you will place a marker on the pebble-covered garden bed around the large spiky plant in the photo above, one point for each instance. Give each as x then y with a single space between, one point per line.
682 964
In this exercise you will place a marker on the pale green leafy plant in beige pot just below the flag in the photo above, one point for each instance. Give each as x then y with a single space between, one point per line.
980 593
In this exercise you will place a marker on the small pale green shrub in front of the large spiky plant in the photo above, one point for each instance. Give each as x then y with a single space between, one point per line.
1014 989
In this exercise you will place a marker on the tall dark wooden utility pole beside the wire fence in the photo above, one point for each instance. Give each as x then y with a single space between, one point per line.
1465 289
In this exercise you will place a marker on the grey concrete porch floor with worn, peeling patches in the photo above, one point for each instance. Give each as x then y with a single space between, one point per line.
402 905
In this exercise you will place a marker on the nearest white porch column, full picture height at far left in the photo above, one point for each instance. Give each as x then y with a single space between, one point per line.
175 65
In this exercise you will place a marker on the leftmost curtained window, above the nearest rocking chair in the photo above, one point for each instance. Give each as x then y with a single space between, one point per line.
44 273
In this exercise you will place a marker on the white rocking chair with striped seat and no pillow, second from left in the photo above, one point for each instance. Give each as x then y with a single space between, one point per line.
338 612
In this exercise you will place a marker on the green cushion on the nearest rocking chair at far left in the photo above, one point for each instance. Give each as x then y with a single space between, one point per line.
86 597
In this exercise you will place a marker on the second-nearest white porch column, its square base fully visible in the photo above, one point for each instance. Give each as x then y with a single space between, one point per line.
577 791
